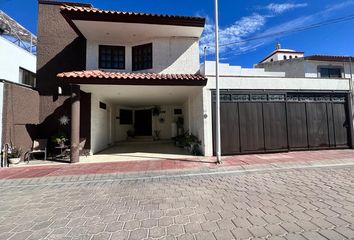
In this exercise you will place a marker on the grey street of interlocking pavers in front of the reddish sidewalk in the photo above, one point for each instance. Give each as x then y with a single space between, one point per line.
288 204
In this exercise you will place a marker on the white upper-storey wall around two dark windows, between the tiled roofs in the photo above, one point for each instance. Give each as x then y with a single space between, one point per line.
174 55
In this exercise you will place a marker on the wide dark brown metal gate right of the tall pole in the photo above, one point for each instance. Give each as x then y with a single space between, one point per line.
281 121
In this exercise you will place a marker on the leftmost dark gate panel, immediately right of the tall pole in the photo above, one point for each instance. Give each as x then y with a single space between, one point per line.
230 143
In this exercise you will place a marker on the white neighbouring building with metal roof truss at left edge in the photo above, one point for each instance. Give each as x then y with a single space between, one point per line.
17 64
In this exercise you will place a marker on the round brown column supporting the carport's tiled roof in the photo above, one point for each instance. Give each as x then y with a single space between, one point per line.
75 124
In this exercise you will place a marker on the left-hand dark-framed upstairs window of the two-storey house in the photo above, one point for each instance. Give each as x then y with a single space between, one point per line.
120 49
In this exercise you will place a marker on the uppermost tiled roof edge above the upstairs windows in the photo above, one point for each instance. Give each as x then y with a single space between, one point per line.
164 18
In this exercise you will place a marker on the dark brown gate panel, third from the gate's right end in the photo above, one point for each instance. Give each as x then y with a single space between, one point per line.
297 125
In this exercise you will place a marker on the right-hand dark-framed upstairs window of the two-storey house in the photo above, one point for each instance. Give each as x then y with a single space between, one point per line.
142 57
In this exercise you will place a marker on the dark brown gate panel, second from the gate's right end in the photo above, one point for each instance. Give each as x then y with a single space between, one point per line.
317 121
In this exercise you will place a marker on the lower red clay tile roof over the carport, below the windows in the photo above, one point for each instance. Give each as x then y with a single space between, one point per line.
124 78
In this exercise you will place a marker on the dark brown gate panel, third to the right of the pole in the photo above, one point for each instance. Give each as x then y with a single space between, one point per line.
275 126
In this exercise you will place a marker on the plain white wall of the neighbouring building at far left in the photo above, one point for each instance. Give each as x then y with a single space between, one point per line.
12 57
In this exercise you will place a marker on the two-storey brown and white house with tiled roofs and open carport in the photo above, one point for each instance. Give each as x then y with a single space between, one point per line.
117 67
